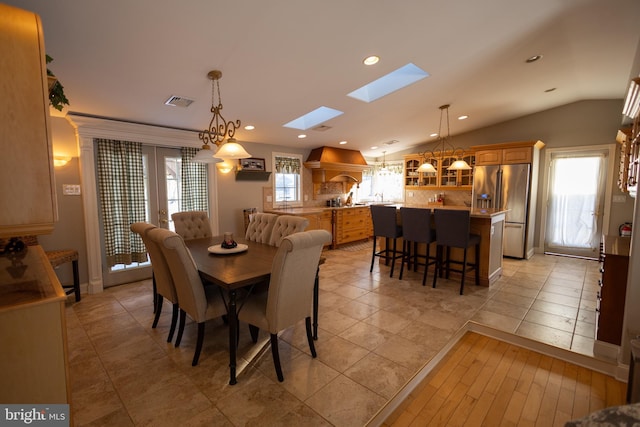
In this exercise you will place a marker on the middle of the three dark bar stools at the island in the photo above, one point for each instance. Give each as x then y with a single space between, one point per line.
416 228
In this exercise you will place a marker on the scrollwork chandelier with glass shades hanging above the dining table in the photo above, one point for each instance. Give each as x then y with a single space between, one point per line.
219 130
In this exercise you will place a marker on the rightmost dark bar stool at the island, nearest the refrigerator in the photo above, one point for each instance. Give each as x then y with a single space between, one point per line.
453 231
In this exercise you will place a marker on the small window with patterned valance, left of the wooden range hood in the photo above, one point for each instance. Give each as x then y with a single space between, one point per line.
287 181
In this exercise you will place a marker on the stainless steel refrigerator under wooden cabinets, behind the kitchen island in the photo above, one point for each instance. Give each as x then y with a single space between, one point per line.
506 187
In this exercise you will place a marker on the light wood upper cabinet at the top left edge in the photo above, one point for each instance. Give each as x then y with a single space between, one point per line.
26 168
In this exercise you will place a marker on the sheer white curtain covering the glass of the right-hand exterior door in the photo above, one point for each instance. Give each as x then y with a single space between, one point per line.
576 185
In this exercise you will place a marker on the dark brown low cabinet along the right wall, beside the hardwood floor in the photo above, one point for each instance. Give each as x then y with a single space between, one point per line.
614 263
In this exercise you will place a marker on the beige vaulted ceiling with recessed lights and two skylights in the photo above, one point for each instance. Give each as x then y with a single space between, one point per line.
280 59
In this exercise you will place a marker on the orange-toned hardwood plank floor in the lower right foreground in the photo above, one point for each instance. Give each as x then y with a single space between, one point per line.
487 382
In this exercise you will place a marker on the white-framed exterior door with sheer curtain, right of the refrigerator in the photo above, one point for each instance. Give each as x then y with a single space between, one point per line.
577 184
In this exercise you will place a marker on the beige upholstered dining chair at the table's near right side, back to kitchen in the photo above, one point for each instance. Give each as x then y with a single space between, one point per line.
290 295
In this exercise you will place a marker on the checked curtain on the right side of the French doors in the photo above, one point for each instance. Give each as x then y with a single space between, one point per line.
193 183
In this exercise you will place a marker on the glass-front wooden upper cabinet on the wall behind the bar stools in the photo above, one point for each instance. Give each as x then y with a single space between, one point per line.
443 177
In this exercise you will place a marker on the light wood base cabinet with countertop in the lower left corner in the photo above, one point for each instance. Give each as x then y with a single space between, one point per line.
33 361
